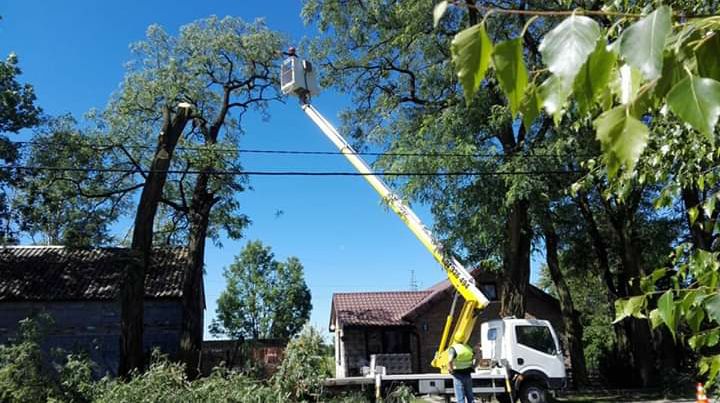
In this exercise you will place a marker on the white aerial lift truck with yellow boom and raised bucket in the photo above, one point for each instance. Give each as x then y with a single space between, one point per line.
524 355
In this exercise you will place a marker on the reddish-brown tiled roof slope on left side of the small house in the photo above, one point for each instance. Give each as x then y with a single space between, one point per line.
374 308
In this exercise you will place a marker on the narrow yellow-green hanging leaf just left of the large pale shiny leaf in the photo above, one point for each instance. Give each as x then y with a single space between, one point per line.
511 72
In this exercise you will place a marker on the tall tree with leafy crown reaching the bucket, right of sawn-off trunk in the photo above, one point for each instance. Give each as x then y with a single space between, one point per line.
241 60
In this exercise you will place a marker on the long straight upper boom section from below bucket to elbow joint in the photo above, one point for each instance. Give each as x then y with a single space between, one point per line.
458 275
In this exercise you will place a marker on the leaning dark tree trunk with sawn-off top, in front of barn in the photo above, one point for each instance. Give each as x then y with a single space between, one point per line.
133 288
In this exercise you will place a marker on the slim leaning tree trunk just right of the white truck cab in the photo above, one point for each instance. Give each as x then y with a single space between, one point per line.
571 321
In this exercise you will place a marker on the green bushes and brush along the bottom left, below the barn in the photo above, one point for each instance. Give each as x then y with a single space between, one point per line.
27 374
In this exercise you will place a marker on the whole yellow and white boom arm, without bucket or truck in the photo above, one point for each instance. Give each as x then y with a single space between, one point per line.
459 277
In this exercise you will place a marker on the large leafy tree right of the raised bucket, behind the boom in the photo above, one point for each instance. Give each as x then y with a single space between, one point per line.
406 98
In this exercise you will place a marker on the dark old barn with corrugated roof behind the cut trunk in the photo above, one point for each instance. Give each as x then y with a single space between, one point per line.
79 290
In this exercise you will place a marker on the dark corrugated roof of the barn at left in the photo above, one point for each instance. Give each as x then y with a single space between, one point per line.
59 273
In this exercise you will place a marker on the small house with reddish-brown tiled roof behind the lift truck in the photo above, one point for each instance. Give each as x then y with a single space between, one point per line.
404 327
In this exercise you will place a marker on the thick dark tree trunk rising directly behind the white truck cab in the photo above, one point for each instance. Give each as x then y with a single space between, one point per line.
516 261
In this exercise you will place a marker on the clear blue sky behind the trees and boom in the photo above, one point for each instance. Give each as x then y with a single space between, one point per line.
73 53
